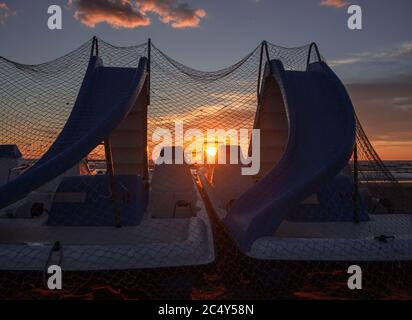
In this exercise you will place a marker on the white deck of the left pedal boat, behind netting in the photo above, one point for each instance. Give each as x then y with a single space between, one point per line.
27 244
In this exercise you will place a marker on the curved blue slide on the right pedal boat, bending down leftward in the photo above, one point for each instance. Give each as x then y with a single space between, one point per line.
321 138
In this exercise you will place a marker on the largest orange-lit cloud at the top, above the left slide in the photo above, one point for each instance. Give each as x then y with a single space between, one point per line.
133 13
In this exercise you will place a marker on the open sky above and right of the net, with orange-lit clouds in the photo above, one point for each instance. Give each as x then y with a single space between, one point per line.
375 63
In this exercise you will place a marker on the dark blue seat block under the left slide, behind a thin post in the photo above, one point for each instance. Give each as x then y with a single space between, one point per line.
87 201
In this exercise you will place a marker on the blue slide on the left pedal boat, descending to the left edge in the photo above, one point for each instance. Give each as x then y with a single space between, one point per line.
105 98
